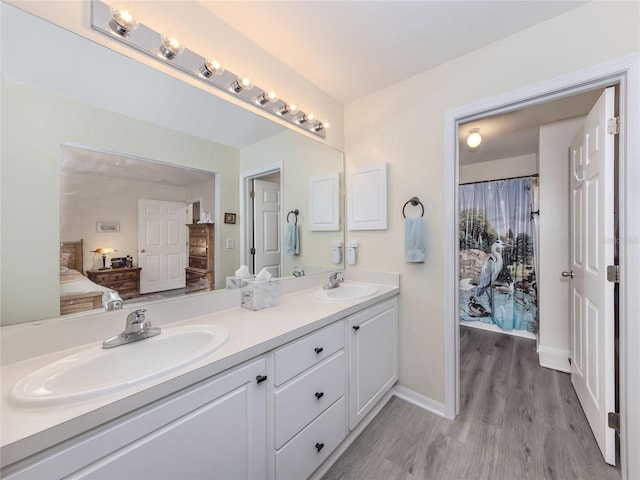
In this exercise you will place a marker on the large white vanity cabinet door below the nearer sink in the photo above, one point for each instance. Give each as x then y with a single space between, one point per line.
216 431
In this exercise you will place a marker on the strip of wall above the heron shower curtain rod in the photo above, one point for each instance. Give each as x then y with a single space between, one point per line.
521 166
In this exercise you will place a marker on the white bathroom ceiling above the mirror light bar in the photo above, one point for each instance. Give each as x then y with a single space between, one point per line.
352 49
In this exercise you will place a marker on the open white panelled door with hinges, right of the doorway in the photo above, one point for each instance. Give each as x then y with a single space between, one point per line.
592 238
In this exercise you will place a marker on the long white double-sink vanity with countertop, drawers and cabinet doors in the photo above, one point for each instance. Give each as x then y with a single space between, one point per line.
222 392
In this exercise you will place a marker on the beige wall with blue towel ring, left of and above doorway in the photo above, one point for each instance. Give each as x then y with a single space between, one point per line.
406 130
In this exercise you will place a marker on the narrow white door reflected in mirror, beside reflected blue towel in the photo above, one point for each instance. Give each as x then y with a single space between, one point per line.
266 228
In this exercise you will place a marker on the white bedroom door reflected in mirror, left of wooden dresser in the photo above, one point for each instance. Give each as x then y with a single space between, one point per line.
162 244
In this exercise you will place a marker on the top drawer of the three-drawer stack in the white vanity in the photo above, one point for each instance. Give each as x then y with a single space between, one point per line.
296 357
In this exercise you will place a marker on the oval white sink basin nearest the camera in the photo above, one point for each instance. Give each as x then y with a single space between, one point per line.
91 373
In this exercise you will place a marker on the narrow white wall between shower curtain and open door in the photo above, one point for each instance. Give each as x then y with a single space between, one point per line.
553 289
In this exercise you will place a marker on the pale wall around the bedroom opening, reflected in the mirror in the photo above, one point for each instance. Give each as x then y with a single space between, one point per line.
30 188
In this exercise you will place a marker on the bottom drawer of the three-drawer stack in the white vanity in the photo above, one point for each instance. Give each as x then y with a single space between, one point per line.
302 455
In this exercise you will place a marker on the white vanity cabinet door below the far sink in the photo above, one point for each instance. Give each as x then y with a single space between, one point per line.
373 357
